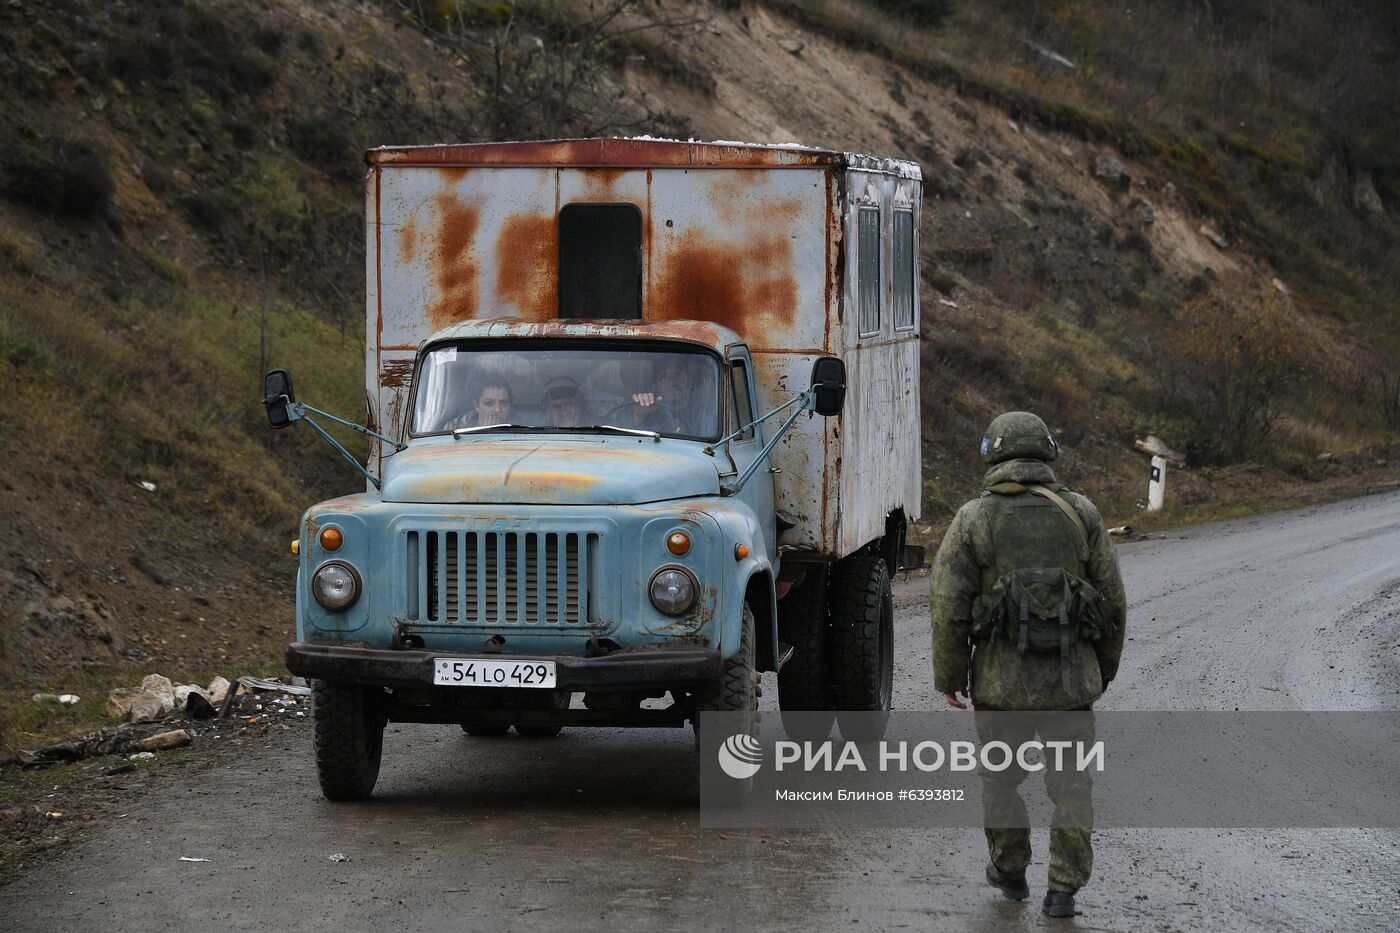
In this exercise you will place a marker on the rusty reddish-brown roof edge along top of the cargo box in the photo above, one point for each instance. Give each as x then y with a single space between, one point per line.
640 152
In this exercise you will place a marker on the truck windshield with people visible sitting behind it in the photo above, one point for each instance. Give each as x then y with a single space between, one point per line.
568 389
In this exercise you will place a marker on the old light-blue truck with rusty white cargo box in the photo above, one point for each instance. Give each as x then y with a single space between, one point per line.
643 425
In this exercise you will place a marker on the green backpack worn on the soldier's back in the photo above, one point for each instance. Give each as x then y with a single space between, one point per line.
1037 596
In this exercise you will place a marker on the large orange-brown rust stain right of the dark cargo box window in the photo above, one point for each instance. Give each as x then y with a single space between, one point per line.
747 286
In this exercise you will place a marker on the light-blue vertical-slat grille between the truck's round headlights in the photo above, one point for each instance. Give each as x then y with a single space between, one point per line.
500 578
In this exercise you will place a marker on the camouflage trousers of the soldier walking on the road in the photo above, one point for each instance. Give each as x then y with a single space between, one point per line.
1072 791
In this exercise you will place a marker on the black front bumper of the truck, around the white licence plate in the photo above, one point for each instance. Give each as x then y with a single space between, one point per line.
642 668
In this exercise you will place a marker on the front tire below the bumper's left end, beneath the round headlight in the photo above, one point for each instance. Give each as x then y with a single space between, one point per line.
349 739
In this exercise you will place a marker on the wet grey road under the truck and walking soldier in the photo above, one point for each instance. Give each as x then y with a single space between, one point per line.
597 830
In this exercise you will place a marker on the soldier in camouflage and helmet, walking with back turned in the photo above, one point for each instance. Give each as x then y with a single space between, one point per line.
1028 616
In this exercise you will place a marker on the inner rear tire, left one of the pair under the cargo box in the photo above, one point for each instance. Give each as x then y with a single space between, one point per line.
804 683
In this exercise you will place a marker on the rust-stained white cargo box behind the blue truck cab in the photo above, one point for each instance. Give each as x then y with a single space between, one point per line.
803 253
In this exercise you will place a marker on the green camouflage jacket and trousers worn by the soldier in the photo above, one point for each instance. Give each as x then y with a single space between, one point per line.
1000 679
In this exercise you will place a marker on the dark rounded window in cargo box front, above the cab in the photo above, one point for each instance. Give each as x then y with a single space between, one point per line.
600 263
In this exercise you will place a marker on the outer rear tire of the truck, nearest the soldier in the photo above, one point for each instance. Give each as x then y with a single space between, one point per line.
863 647
